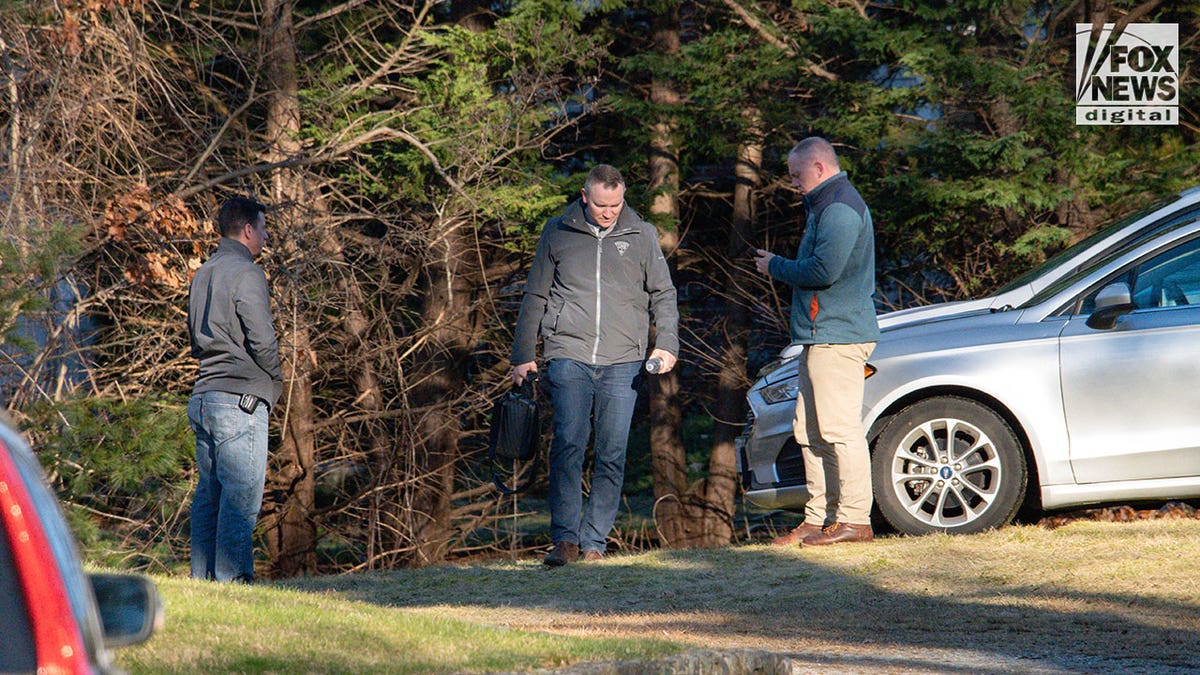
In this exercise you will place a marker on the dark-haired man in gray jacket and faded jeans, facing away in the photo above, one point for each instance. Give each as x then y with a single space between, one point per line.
233 336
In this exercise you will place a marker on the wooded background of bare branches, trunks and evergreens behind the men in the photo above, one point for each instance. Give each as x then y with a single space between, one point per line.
411 153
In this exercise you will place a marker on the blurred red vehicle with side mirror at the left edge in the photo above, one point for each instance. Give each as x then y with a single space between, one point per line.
53 618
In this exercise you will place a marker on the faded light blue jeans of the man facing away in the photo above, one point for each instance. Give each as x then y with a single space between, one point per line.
231 459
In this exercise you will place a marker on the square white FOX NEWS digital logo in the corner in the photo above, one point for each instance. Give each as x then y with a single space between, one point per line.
1131 77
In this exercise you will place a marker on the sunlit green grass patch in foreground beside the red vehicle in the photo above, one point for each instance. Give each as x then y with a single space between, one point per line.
269 629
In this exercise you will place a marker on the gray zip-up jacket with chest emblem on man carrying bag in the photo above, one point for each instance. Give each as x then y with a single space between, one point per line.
591 298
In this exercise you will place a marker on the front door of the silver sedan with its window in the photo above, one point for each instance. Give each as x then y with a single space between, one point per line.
1132 393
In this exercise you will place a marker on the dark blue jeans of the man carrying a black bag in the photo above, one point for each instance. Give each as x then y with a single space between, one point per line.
589 399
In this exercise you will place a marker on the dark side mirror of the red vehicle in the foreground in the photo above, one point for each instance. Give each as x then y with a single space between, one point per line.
130 608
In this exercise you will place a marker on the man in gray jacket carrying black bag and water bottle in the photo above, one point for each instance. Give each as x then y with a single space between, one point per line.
597 278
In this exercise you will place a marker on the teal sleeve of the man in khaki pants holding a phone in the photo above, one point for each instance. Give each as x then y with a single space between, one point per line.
836 236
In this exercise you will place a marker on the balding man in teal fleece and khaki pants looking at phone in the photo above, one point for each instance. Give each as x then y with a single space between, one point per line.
833 318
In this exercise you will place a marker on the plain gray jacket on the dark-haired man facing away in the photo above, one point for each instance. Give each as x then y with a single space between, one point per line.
231 326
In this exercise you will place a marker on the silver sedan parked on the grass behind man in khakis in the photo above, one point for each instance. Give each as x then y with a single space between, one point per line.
1087 393
